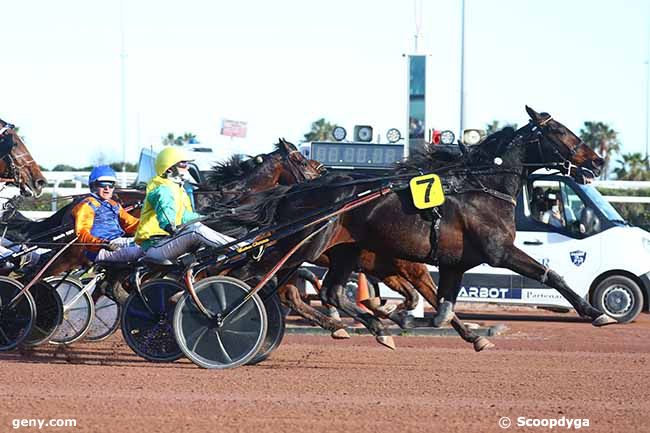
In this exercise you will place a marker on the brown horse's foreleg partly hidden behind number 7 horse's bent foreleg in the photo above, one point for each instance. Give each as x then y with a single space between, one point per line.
419 276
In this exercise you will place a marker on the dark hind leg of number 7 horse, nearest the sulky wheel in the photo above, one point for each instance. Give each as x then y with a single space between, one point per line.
342 262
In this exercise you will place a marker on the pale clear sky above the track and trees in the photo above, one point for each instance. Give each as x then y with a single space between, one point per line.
281 65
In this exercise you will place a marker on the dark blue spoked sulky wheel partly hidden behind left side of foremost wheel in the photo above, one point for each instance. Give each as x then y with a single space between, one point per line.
147 321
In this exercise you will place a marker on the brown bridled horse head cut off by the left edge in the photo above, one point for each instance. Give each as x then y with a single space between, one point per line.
17 165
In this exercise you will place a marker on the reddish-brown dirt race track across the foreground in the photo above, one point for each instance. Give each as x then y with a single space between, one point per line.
314 384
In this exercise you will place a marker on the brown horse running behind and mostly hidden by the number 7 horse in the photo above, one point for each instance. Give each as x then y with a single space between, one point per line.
240 179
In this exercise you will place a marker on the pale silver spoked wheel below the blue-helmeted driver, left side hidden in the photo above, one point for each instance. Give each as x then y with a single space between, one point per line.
78 310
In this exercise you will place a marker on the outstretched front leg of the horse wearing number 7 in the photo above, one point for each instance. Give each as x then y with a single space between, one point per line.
523 264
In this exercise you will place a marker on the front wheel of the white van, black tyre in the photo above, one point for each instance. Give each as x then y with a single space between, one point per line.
619 297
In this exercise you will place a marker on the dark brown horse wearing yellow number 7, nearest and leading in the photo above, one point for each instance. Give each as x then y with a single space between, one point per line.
474 225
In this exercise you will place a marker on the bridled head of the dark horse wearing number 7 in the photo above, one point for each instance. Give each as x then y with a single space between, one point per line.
563 146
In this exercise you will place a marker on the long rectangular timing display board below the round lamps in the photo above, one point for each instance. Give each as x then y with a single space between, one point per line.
357 155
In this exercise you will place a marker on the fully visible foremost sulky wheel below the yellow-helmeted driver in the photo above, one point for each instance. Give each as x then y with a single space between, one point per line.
212 343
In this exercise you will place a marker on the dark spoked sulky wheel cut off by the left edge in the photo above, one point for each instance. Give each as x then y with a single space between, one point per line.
16 319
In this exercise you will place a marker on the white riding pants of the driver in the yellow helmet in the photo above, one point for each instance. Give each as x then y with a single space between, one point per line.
188 239
